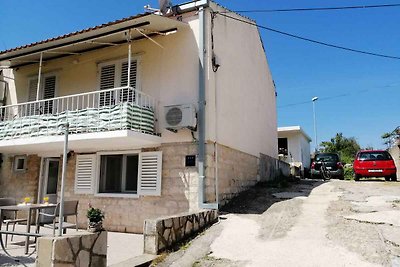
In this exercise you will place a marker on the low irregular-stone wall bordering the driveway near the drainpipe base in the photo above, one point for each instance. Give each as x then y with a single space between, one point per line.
164 233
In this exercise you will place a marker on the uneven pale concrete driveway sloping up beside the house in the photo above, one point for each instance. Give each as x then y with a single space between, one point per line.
337 223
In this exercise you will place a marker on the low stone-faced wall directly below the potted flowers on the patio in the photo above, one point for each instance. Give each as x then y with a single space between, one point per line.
82 249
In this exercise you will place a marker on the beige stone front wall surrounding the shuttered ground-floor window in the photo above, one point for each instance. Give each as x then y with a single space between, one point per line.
178 194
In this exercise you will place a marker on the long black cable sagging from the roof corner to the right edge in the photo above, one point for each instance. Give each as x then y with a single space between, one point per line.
312 40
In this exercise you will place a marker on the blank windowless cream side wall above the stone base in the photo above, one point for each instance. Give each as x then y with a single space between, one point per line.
241 102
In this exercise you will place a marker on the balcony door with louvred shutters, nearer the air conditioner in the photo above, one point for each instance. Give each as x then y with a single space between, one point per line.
113 74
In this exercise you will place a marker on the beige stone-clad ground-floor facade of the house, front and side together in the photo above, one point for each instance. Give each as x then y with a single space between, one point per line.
236 172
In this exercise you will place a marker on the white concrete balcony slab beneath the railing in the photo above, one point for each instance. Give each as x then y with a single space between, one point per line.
80 143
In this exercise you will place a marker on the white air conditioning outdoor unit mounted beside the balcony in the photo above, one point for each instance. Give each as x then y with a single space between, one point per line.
180 116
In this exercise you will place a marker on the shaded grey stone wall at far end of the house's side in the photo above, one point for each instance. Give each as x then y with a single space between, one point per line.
272 168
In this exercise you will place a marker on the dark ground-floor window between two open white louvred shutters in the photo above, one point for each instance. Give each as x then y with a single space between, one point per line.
119 173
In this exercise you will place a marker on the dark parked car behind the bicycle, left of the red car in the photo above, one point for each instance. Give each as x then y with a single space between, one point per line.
332 163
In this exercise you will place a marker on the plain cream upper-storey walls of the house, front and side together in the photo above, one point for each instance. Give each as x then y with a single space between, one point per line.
241 108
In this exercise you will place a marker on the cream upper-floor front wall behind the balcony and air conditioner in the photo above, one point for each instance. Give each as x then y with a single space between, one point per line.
168 74
